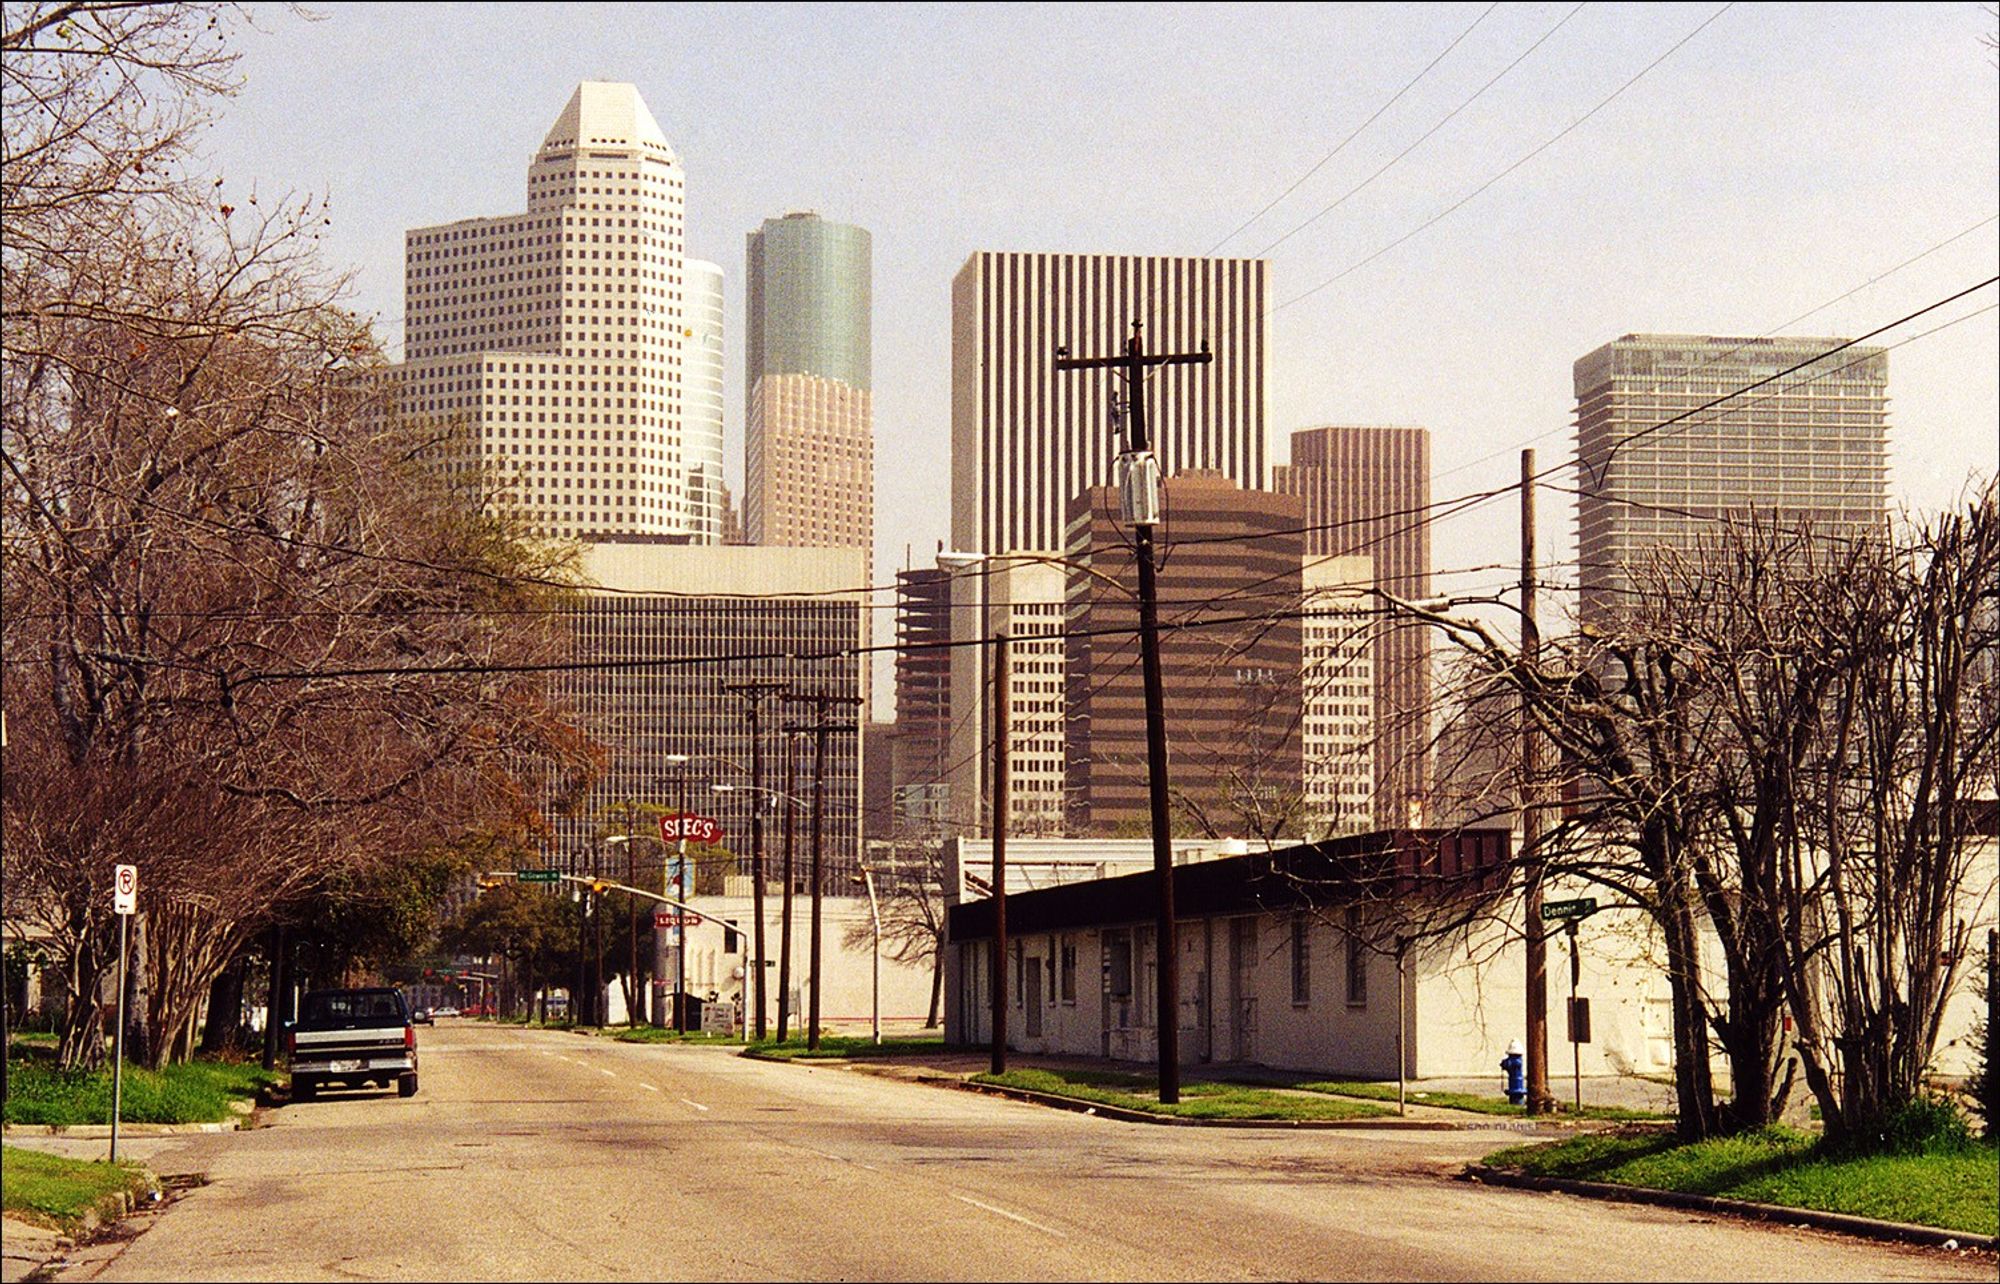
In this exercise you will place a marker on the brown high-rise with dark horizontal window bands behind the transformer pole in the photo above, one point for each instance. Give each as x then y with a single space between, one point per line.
1233 691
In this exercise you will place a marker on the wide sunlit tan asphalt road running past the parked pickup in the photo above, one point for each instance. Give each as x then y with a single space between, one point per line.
543 1155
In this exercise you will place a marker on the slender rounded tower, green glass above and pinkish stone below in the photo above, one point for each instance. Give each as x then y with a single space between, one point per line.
809 445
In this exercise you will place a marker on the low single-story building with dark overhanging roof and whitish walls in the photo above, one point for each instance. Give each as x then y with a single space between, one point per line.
1289 961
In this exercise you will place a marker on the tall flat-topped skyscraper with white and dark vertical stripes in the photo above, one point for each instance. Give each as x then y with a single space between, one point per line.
1027 441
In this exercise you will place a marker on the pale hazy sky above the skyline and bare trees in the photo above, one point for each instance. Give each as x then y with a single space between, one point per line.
1779 159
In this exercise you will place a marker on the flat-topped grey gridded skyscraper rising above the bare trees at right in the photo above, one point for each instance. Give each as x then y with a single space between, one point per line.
1811 447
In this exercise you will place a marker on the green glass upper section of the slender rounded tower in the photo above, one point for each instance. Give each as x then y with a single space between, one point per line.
809 301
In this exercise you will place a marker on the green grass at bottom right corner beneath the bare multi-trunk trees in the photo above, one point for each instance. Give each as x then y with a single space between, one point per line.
1949 1189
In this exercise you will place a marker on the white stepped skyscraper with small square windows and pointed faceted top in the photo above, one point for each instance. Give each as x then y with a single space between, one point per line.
551 345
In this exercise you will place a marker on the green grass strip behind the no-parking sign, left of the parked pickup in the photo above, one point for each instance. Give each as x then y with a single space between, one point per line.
197 1093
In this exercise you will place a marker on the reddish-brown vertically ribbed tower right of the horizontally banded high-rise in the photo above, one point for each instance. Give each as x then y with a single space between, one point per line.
1367 491
